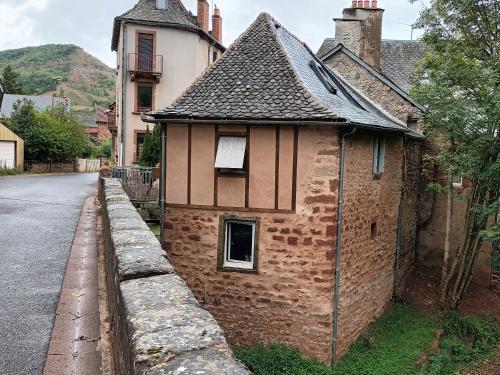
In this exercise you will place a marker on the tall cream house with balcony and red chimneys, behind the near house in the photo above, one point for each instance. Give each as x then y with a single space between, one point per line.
161 48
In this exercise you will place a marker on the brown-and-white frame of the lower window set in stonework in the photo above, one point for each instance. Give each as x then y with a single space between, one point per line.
225 265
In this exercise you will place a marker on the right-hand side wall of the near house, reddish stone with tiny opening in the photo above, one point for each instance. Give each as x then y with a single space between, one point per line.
371 207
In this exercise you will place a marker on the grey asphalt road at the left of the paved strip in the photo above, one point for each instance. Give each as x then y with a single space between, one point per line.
38 217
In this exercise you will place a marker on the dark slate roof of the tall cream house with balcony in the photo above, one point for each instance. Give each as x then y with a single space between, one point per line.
175 15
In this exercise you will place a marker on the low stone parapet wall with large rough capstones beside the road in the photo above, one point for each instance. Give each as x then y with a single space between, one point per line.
157 325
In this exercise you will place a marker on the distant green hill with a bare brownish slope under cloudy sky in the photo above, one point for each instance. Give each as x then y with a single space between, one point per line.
84 78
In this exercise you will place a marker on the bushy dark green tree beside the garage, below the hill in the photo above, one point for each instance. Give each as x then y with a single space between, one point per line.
49 135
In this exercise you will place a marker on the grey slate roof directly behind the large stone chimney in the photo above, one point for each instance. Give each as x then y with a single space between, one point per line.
397 58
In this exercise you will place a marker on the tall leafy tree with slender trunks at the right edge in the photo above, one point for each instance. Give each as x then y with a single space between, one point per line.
458 81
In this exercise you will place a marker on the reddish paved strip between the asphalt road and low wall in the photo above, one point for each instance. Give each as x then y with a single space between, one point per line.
75 343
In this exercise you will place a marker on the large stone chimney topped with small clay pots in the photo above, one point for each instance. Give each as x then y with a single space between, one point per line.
360 30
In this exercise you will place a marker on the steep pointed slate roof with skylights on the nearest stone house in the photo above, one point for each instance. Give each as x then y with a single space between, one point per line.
267 75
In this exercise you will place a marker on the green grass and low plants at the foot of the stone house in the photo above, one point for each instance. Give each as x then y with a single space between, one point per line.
394 345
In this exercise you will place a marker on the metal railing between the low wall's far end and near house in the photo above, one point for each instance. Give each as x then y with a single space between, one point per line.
138 182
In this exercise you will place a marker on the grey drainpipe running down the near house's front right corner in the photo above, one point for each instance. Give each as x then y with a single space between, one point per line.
339 245
